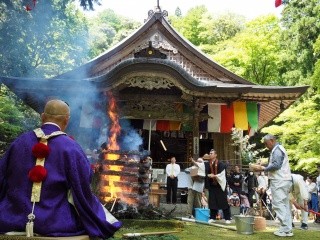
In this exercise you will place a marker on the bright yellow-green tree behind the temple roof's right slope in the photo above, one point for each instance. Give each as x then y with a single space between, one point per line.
253 52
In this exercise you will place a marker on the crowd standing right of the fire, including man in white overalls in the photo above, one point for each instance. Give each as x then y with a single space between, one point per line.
272 186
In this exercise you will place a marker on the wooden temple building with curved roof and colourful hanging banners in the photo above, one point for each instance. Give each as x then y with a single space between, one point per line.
162 83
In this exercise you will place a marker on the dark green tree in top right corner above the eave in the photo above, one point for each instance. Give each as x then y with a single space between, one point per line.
300 20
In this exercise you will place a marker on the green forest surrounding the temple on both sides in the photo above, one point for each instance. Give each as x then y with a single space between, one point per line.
57 36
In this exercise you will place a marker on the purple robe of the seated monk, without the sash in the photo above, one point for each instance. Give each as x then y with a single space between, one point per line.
68 171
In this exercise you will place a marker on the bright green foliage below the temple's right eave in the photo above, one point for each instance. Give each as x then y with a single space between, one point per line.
298 129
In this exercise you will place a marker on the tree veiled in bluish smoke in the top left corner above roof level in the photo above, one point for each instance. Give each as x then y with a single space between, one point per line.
46 41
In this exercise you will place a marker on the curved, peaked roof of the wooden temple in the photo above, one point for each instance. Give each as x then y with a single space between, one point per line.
184 68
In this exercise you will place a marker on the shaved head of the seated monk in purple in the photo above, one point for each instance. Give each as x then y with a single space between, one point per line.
56 111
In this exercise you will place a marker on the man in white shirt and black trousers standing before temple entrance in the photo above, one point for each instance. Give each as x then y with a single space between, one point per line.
172 171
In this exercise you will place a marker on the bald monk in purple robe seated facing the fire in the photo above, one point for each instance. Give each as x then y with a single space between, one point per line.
45 184
